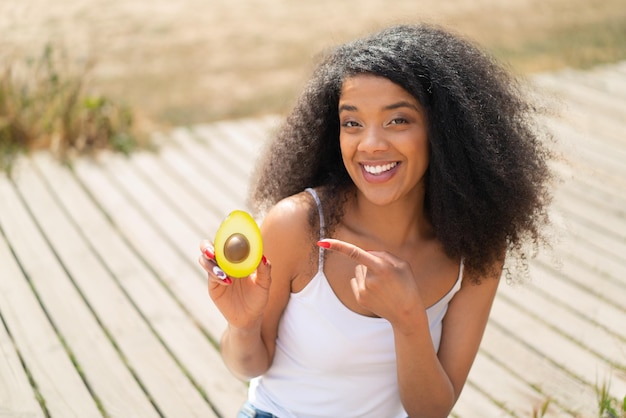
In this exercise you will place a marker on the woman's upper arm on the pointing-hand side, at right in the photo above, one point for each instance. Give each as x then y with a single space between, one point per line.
464 325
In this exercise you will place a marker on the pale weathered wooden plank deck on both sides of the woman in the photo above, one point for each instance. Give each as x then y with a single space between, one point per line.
105 313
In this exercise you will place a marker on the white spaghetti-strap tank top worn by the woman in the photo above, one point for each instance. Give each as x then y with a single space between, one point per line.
331 361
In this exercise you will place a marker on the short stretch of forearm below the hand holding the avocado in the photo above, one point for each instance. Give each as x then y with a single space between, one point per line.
244 352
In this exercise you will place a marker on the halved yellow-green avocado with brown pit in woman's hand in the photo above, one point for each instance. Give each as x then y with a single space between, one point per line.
238 245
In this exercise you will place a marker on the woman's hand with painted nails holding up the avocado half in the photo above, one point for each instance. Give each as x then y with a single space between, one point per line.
241 301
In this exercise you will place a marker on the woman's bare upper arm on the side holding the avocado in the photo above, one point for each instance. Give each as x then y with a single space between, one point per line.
286 243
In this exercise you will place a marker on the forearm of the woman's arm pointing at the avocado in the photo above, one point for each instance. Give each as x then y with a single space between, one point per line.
425 389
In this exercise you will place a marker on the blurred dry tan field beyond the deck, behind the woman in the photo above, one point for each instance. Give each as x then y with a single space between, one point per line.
189 61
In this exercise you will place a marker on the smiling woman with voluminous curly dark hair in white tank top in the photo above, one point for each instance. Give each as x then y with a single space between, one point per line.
406 173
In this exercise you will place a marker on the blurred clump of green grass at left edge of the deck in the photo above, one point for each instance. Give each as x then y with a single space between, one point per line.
45 103
